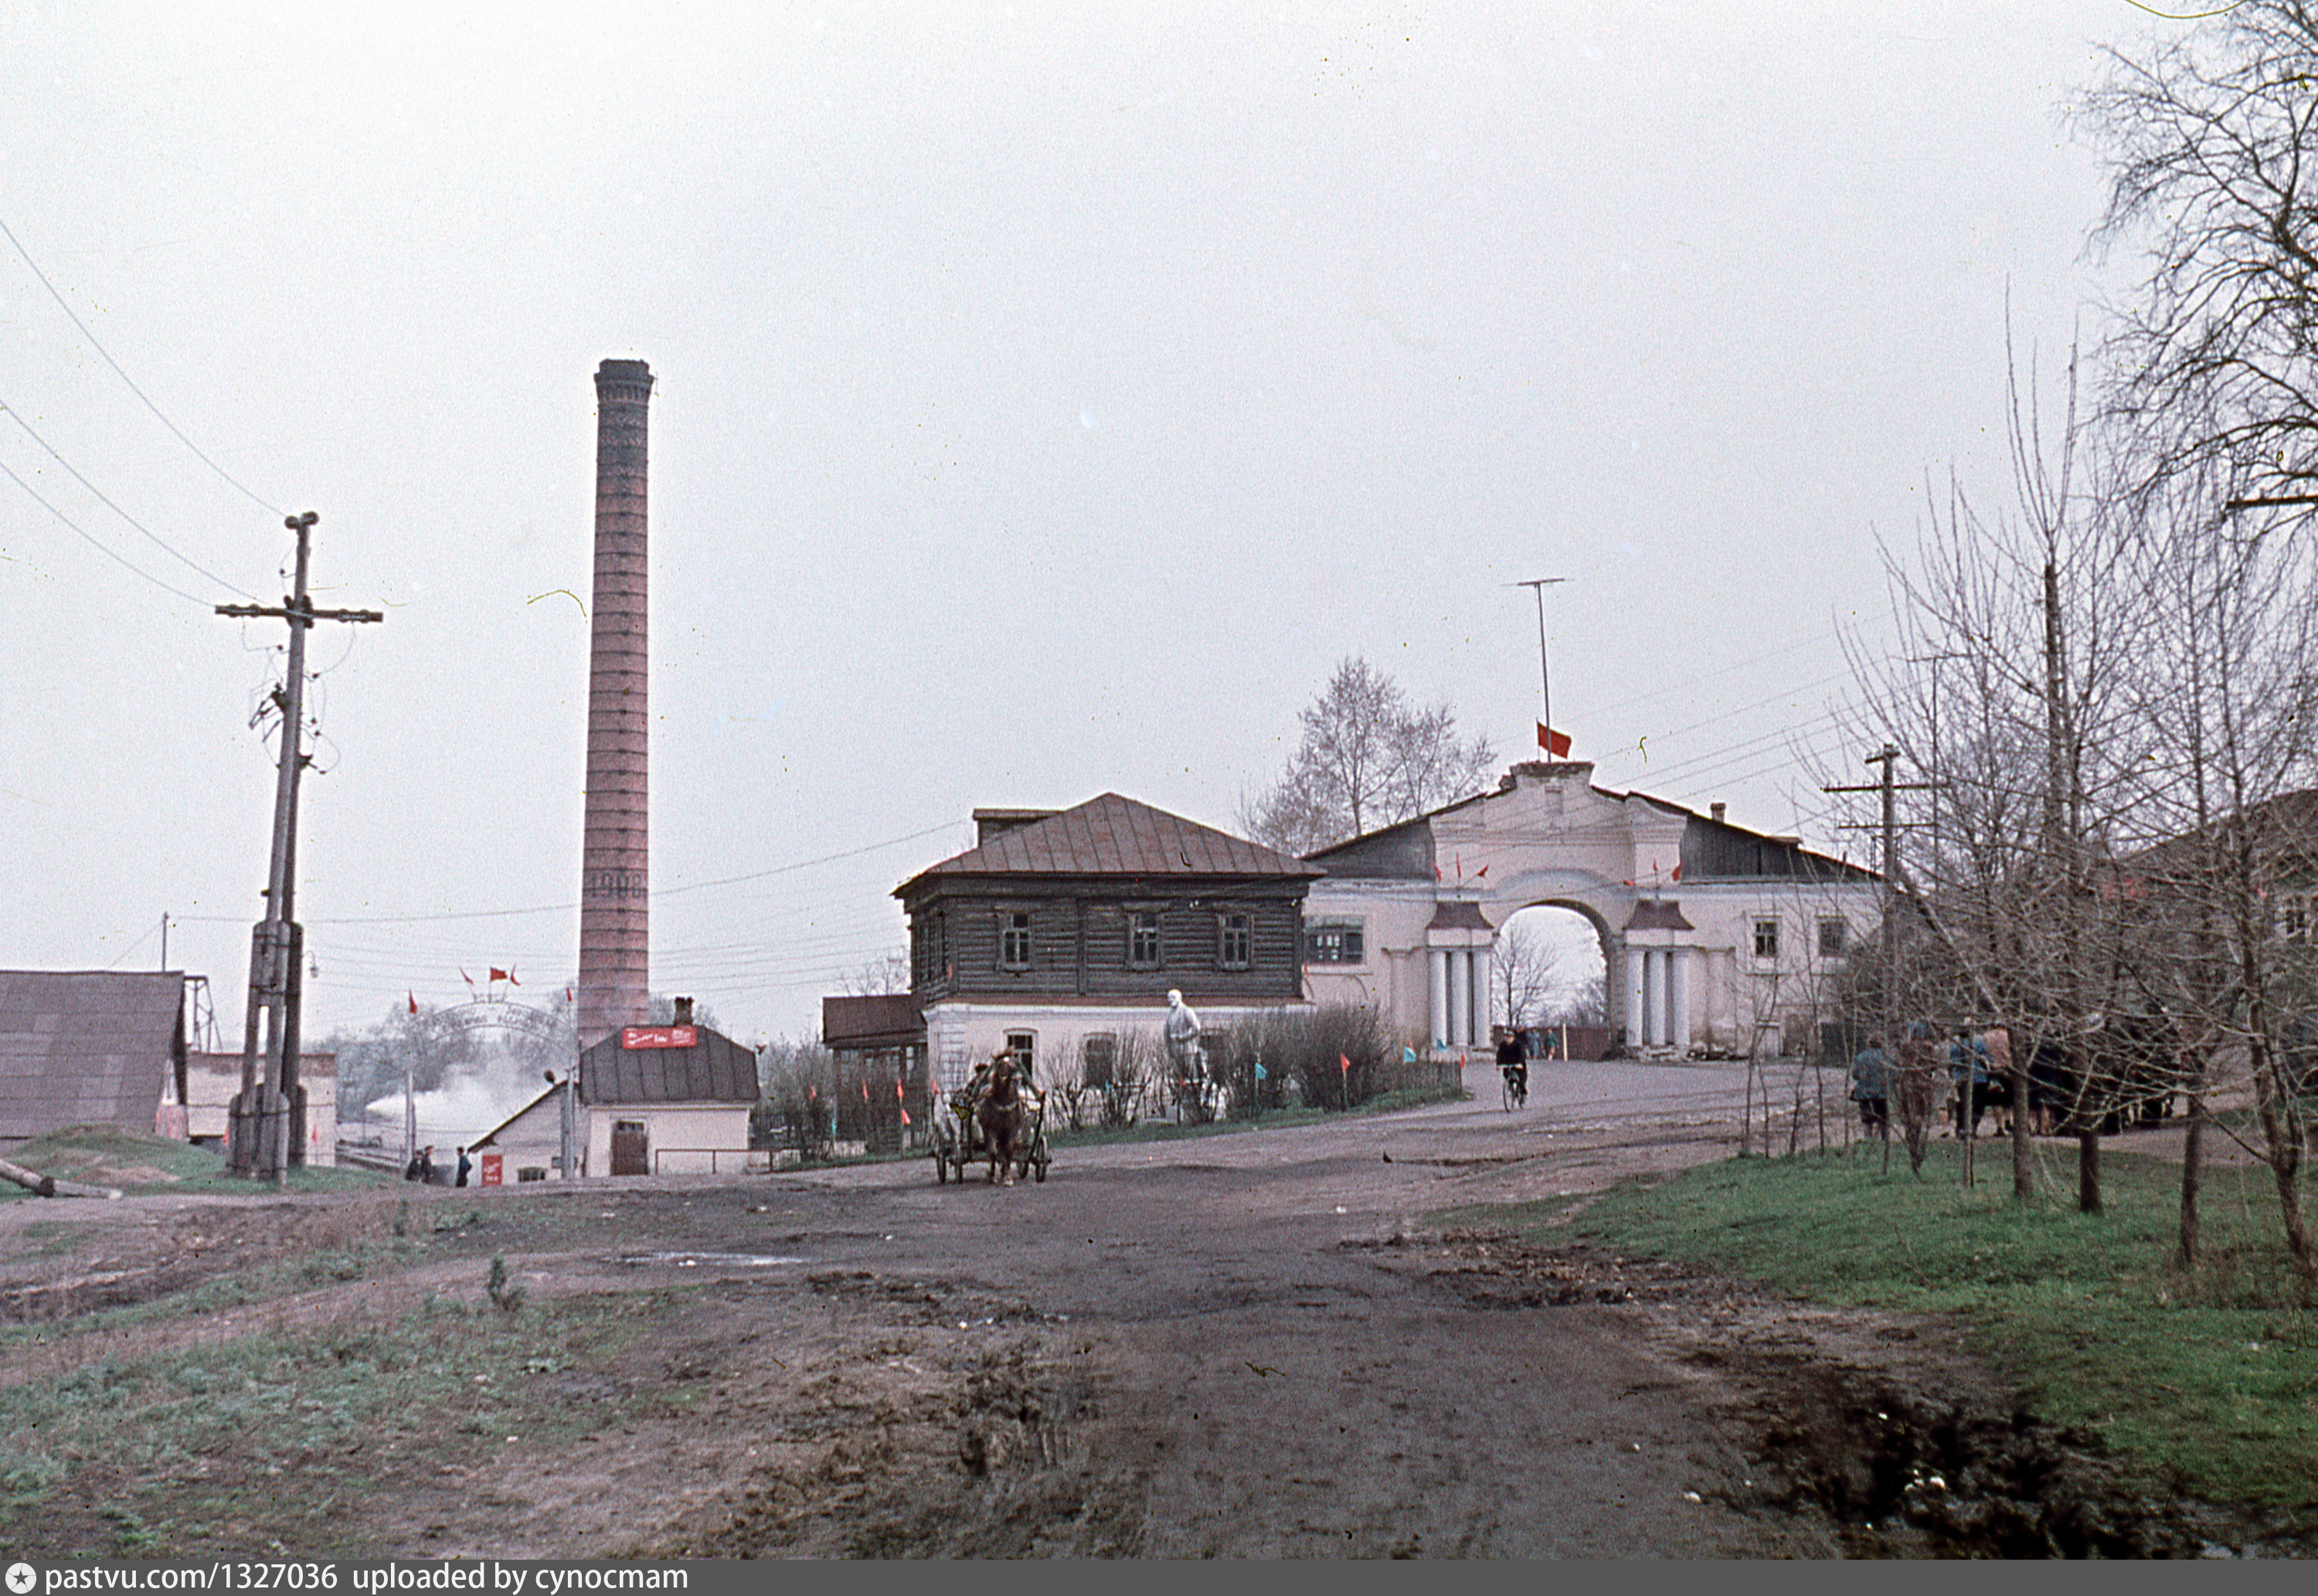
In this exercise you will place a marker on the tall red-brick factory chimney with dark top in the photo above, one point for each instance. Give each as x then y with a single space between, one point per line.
615 863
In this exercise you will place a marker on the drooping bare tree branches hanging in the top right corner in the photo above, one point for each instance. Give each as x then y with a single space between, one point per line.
2213 154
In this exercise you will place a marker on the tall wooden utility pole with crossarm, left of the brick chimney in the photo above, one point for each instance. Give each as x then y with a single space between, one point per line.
268 1120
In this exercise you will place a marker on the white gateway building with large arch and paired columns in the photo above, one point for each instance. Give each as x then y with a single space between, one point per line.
1716 939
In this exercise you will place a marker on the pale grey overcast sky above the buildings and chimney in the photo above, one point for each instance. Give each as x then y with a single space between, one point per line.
1049 397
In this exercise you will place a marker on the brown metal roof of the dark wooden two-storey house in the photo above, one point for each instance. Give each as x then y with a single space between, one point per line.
1116 837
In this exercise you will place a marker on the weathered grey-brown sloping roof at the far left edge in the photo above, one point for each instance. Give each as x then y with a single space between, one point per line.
87 1048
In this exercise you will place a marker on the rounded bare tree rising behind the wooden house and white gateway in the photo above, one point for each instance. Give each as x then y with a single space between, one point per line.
1366 759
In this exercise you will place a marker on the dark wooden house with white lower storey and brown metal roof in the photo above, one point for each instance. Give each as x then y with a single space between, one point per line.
1065 930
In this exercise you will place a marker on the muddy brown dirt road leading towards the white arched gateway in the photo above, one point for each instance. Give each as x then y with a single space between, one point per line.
1225 1347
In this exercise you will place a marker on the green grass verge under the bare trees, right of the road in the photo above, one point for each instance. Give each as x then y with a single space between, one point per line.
2210 1375
